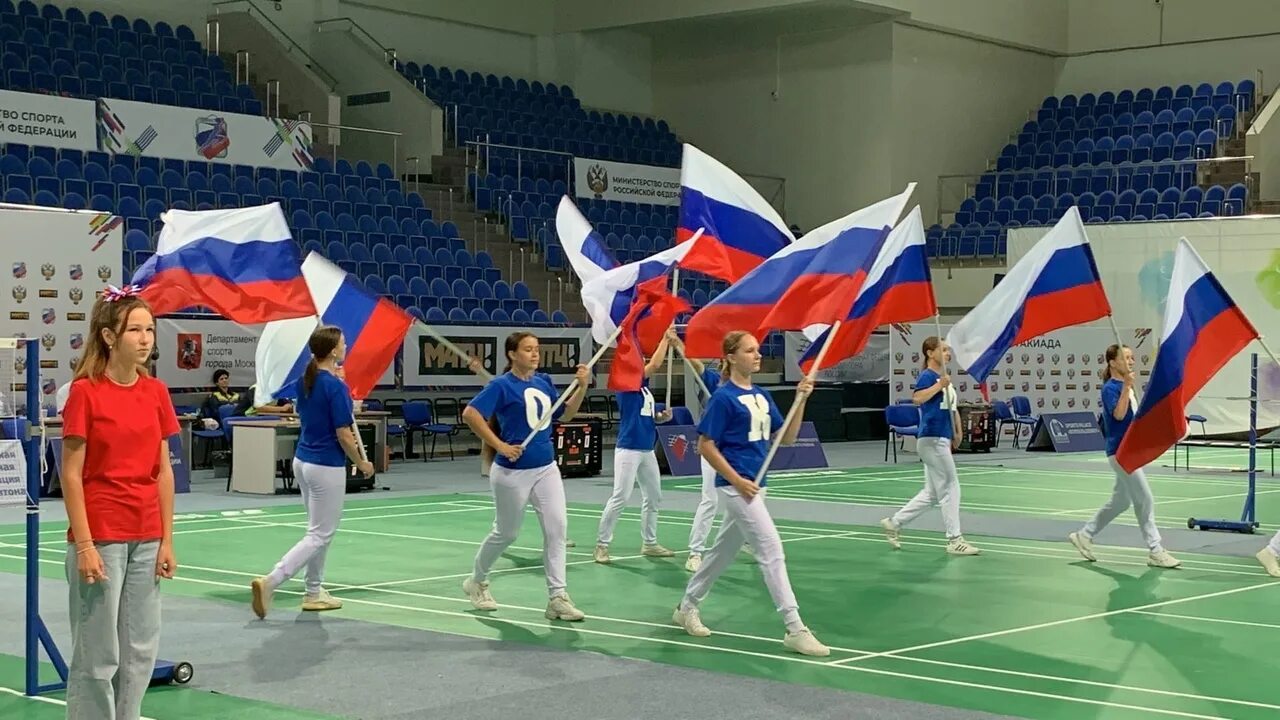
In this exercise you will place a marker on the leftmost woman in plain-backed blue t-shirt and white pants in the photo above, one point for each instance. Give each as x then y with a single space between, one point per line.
327 441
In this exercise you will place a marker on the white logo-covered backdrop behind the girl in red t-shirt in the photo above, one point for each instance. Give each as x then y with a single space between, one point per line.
58 261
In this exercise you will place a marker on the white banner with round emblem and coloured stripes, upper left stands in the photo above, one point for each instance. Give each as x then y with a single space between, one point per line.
163 131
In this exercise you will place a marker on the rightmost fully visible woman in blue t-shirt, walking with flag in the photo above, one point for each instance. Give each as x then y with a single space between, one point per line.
1119 405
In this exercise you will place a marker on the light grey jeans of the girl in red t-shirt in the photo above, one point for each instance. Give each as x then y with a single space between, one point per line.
116 632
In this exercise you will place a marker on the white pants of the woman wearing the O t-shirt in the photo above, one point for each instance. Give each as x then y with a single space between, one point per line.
513 491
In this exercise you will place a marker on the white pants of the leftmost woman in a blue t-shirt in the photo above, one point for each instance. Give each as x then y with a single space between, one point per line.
324 490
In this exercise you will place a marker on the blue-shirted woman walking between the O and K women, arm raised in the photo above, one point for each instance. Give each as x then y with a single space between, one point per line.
636 462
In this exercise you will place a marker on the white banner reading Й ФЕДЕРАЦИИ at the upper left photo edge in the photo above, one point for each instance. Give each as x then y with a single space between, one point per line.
31 119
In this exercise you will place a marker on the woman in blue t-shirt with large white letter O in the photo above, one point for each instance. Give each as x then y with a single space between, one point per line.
520 400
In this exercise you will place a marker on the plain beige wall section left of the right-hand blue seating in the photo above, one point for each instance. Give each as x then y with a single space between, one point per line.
956 104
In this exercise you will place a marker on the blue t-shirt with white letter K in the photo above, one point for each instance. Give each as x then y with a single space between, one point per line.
740 423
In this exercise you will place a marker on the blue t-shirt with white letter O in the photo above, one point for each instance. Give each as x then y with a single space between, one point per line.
519 405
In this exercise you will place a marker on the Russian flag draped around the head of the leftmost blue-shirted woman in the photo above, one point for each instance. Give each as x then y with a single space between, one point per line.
373 327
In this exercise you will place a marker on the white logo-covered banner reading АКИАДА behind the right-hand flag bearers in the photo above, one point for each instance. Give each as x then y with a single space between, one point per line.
1057 372
